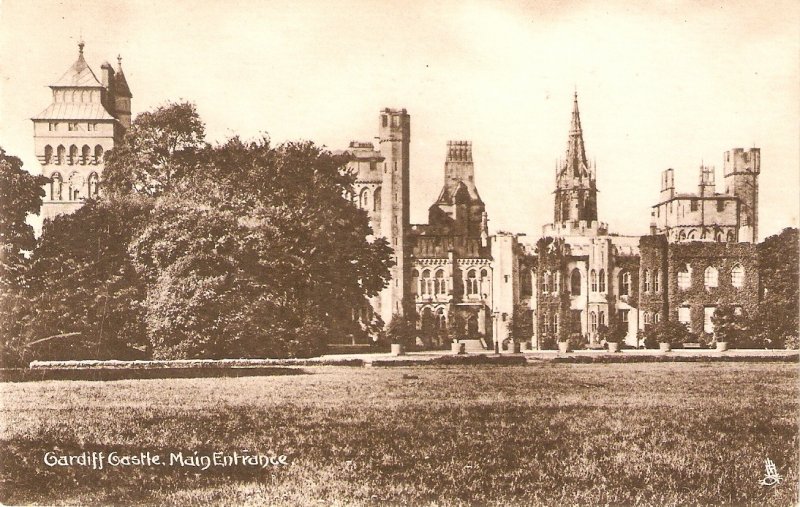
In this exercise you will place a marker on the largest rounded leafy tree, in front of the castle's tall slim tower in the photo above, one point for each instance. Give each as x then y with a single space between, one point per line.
257 254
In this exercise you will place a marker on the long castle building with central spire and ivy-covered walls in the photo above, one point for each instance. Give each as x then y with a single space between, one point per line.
577 277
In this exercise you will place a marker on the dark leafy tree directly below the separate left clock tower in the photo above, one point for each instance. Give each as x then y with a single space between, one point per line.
81 283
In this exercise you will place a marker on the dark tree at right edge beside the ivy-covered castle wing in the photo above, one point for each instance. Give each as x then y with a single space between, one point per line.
776 318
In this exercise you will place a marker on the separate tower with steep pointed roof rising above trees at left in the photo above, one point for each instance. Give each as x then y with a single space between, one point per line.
73 135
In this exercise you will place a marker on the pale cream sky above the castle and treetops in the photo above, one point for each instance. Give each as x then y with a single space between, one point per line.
660 84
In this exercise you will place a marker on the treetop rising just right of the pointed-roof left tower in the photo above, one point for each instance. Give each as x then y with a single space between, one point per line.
161 148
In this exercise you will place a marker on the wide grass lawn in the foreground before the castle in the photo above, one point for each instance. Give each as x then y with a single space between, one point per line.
549 434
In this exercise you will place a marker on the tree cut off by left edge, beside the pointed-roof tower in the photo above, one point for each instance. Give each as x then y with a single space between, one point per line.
21 195
